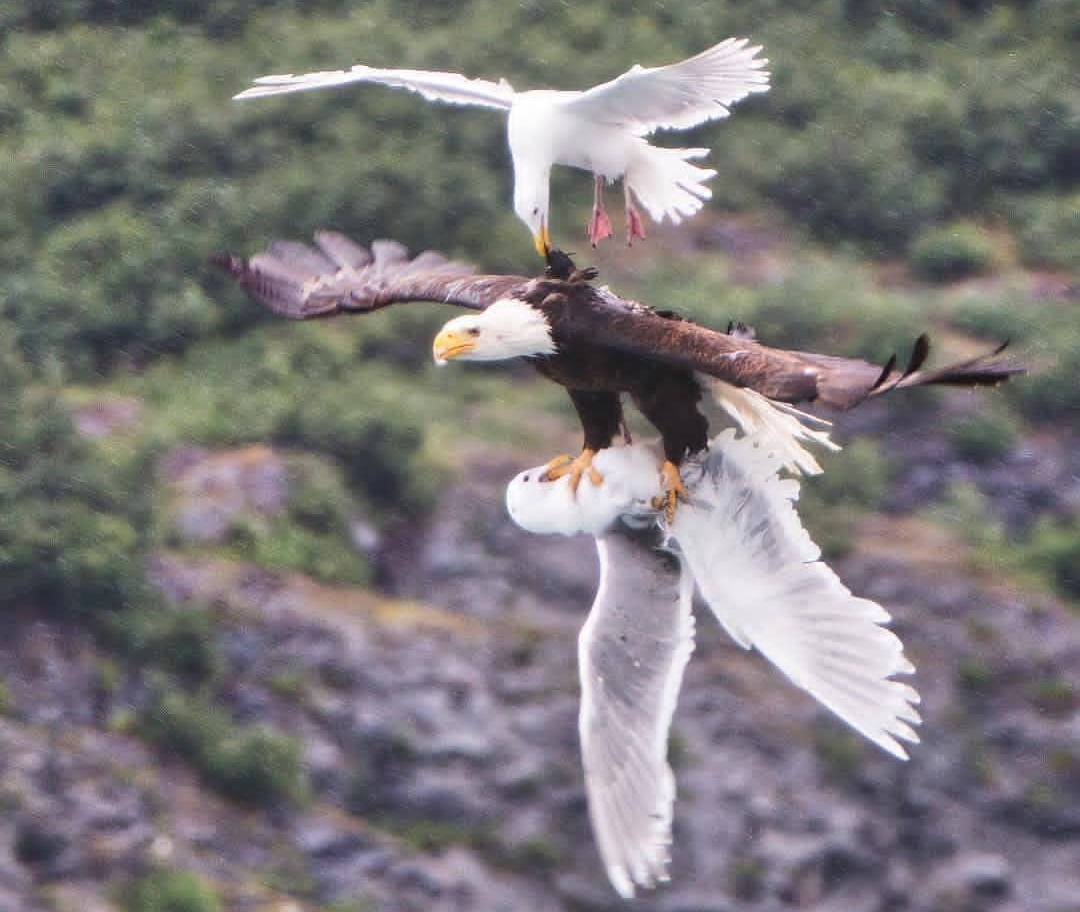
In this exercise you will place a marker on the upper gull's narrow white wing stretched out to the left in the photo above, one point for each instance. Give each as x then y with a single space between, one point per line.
451 88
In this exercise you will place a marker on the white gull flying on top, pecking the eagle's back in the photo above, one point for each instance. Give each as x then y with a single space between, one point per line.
601 130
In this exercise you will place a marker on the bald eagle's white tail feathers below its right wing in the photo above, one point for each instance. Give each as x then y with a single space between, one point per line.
786 428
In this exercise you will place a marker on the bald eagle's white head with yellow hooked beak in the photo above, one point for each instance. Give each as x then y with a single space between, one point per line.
508 329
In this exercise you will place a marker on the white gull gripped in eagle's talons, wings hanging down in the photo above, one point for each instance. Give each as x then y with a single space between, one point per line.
740 543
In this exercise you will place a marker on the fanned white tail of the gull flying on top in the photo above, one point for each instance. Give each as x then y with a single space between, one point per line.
667 184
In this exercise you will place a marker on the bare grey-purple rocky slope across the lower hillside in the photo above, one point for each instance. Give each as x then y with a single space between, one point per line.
439 726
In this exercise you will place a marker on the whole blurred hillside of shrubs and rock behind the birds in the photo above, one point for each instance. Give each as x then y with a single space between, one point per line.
273 643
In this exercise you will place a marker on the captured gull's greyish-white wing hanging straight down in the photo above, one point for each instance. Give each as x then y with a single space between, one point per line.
631 654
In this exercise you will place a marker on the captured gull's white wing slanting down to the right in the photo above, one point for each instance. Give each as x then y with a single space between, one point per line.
762 575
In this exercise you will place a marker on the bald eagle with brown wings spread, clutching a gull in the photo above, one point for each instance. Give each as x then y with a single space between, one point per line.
599 346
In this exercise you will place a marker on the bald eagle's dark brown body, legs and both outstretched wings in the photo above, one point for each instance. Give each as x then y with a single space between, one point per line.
606 345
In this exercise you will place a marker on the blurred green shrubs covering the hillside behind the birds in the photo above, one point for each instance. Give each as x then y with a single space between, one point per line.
942 135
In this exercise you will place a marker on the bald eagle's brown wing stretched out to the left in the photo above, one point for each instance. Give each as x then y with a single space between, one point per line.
341 276
